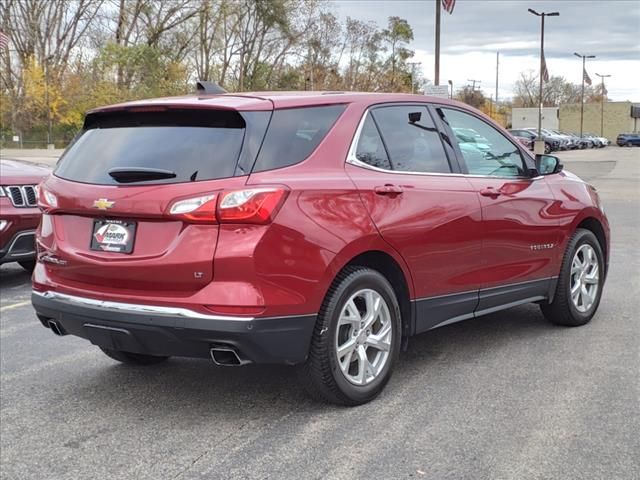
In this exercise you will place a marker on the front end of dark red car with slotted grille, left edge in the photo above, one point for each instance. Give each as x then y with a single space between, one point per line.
19 213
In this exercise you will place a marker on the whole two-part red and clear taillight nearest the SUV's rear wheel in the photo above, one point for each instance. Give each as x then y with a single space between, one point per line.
249 205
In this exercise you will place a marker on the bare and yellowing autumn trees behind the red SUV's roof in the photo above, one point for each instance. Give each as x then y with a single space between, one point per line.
68 56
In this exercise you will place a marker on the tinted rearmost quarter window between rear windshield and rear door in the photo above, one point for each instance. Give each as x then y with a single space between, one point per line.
293 134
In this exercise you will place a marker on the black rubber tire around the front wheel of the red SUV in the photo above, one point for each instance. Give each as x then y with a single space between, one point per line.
562 310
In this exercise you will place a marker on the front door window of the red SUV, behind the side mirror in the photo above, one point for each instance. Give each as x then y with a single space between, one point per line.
484 149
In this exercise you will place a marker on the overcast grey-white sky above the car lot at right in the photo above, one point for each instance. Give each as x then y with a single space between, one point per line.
470 37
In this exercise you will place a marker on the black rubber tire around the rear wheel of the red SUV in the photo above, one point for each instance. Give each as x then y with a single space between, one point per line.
321 374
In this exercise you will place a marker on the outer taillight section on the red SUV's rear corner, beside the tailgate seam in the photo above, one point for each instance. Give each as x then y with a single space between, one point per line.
251 205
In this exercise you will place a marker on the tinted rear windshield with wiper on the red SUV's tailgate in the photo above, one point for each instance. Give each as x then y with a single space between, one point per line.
194 145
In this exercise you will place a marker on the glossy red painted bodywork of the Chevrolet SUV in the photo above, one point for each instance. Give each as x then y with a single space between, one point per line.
448 233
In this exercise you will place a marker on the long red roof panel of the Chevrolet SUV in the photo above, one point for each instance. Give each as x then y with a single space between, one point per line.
249 101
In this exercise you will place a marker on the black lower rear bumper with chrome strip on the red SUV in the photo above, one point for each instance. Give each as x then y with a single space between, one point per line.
175 331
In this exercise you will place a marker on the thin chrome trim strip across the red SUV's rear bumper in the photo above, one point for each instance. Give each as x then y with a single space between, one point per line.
136 308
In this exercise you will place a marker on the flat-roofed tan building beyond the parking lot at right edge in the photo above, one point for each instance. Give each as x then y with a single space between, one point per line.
615 118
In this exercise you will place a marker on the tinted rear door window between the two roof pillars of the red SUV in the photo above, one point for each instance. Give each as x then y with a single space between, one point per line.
412 140
